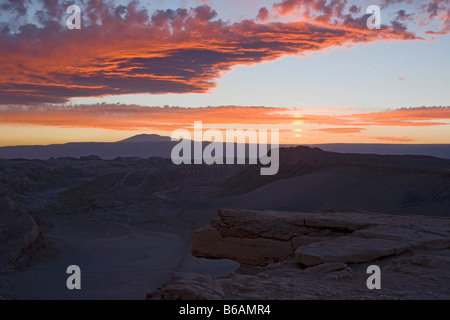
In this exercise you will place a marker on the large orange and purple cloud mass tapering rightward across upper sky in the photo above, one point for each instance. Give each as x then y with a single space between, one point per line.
124 50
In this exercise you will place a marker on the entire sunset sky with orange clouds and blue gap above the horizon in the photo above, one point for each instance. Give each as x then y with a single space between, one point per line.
309 68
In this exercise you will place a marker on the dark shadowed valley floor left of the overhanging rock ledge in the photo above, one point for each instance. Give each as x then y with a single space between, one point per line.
120 221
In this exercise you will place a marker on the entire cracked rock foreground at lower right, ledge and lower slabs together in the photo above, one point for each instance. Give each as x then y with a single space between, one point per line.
318 256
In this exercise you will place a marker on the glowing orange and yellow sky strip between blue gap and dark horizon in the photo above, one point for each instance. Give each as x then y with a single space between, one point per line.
115 122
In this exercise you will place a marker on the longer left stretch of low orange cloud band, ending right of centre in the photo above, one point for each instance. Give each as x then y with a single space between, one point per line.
126 117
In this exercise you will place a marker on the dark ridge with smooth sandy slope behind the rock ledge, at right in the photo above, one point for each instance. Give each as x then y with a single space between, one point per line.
312 180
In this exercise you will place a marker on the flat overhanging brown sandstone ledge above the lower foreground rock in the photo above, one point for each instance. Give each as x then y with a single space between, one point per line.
260 238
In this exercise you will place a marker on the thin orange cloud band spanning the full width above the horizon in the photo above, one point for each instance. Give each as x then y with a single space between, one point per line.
134 117
